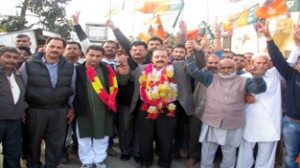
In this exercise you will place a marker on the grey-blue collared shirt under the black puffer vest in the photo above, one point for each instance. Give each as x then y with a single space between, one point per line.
53 73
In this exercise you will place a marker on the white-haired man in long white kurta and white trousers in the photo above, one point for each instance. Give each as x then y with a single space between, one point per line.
266 113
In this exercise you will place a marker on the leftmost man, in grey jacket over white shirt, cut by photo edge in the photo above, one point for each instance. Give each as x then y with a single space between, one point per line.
13 106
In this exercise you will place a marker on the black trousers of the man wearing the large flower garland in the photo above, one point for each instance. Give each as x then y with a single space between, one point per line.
164 127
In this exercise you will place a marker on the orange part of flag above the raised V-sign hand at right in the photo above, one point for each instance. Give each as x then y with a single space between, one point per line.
271 9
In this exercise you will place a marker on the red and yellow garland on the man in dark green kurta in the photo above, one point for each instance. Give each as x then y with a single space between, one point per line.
108 99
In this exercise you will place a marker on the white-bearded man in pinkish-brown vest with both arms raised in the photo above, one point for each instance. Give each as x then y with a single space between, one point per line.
223 118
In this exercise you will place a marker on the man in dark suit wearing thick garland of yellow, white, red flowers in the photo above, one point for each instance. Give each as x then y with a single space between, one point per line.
157 112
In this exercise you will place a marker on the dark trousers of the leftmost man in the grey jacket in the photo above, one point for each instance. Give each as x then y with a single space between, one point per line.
10 137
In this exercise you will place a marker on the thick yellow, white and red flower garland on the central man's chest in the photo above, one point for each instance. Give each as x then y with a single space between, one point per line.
158 91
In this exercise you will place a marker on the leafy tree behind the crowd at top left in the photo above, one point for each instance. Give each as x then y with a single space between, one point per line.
51 14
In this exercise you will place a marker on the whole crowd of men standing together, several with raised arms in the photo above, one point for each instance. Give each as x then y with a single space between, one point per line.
181 102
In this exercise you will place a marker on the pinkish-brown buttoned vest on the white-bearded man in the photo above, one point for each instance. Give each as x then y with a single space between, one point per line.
224 106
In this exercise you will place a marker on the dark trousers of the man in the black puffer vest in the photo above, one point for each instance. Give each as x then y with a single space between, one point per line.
51 126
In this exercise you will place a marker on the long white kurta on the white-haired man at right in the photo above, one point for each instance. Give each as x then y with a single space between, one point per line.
263 118
